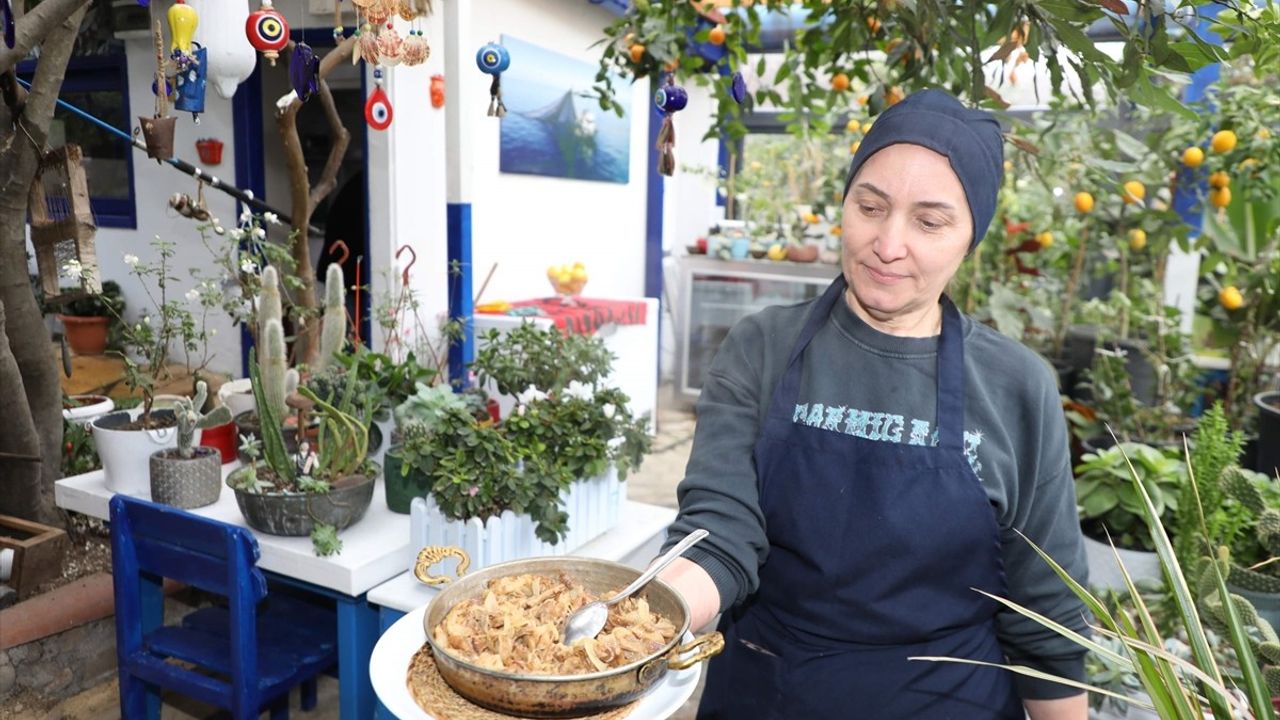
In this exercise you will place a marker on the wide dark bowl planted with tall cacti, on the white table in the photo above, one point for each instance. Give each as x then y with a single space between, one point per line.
314 491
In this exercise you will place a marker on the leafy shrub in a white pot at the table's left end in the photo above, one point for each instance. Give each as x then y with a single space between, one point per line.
126 440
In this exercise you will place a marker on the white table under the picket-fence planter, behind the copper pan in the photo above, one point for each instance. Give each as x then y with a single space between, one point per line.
636 541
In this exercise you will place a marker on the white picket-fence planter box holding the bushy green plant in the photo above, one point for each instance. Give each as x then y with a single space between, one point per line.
593 507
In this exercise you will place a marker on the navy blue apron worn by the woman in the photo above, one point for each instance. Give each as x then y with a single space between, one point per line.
875 550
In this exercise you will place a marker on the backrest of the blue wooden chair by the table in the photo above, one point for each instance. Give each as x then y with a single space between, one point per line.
199 552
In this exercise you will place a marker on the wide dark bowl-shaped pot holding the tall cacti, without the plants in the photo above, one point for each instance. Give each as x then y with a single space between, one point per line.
298 514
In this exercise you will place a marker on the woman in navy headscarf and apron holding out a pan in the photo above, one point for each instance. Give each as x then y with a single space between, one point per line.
865 462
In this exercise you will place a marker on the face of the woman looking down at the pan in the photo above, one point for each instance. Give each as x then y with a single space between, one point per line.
907 229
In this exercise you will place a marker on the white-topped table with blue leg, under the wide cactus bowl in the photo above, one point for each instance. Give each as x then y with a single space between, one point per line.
373 550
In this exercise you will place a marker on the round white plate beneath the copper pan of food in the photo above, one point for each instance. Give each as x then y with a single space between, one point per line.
390 663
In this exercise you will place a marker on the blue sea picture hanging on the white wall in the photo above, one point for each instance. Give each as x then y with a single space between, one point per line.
551 129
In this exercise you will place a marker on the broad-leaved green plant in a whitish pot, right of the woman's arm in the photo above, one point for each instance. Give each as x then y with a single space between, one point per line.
1112 509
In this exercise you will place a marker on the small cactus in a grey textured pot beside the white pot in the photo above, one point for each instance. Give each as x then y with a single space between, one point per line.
189 476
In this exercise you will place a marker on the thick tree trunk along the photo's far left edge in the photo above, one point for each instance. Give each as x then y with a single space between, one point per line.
29 487
